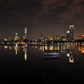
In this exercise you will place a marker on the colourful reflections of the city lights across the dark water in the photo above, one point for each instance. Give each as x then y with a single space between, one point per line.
50 51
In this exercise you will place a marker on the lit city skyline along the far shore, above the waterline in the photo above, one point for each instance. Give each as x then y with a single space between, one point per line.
70 34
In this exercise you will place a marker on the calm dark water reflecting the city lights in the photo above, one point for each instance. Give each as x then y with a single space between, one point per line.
62 63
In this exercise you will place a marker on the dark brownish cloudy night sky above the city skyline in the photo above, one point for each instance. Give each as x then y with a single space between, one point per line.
46 17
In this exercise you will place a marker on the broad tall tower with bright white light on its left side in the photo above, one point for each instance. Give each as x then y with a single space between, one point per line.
70 33
